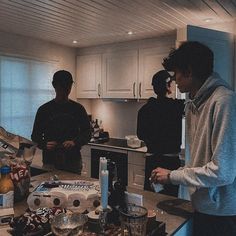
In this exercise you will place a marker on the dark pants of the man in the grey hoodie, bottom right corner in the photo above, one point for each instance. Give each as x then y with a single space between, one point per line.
209 225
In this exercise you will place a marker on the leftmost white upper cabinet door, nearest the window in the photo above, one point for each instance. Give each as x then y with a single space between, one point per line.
88 71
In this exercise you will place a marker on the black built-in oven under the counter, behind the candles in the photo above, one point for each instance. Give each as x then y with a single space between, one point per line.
120 159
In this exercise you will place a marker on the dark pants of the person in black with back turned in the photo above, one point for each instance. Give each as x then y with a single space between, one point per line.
157 160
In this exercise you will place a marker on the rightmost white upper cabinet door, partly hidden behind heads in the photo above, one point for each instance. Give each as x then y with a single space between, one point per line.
150 62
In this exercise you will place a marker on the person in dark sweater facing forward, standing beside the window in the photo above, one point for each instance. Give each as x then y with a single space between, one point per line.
62 127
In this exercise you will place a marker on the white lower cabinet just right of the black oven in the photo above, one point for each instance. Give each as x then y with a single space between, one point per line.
136 169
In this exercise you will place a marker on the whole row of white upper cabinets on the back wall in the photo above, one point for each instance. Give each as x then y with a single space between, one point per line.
122 71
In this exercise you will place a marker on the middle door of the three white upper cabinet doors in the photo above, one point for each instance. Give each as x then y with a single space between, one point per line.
119 74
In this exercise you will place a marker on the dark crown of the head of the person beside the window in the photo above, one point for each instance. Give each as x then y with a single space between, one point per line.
62 78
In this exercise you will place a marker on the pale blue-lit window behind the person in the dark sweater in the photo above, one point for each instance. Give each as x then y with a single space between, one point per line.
24 86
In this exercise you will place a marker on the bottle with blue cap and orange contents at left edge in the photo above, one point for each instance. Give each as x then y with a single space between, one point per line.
6 188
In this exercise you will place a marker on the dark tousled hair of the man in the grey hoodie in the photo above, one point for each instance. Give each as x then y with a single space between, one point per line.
191 55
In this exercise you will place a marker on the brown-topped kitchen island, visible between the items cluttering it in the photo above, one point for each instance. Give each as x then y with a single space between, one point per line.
175 213
